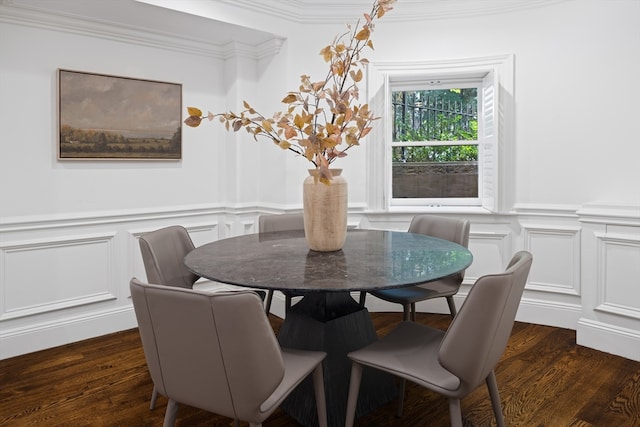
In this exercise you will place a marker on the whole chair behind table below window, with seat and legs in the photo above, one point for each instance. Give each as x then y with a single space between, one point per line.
454 230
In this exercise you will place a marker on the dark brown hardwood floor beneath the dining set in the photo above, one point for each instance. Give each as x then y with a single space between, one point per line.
545 379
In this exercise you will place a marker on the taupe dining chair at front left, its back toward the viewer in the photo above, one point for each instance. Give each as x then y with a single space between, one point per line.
216 351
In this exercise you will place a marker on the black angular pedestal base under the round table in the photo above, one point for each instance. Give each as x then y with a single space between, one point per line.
335 323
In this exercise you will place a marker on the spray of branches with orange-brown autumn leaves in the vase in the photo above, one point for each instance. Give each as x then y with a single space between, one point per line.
321 116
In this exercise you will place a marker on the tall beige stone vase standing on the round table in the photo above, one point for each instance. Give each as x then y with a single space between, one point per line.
325 211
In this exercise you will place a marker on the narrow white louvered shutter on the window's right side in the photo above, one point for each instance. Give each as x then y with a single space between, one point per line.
488 142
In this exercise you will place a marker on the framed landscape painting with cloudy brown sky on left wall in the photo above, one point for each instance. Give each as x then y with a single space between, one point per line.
104 117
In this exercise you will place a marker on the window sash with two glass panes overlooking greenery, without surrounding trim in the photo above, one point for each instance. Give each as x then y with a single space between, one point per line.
434 154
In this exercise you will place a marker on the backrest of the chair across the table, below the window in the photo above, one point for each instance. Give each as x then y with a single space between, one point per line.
442 227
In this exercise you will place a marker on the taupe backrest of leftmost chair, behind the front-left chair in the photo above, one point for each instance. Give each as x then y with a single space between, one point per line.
163 253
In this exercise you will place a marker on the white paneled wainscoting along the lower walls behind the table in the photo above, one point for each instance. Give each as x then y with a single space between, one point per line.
580 279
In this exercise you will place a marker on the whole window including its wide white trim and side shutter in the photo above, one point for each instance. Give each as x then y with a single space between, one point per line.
445 132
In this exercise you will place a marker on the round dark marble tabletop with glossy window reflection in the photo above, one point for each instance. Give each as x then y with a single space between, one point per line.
369 260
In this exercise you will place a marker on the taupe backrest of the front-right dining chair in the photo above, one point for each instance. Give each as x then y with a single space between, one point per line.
478 335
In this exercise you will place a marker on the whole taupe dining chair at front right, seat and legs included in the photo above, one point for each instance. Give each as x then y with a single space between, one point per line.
452 363
